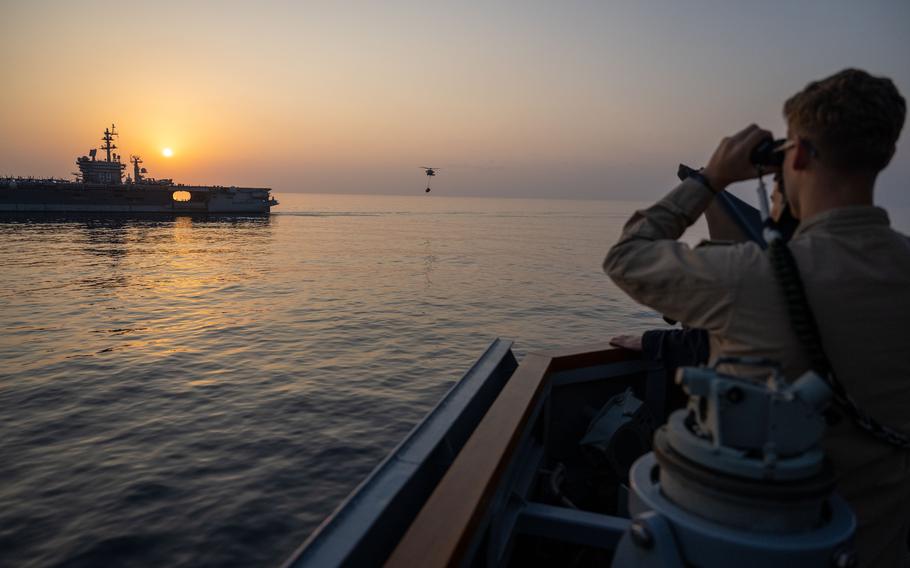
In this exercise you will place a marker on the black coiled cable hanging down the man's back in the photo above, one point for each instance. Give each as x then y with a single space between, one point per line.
806 329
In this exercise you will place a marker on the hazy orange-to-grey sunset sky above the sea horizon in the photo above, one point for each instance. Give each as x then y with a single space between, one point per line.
537 99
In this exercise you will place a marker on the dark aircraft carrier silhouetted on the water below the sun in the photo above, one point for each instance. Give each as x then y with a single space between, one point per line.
99 187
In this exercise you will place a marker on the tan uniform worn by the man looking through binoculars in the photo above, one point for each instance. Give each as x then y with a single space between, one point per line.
856 272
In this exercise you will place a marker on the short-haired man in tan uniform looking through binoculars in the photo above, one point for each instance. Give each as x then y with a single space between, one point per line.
855 272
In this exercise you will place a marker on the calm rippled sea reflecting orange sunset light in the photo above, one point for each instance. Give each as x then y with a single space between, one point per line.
203 392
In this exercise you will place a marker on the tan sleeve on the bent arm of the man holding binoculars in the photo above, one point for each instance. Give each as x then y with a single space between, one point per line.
693 286
